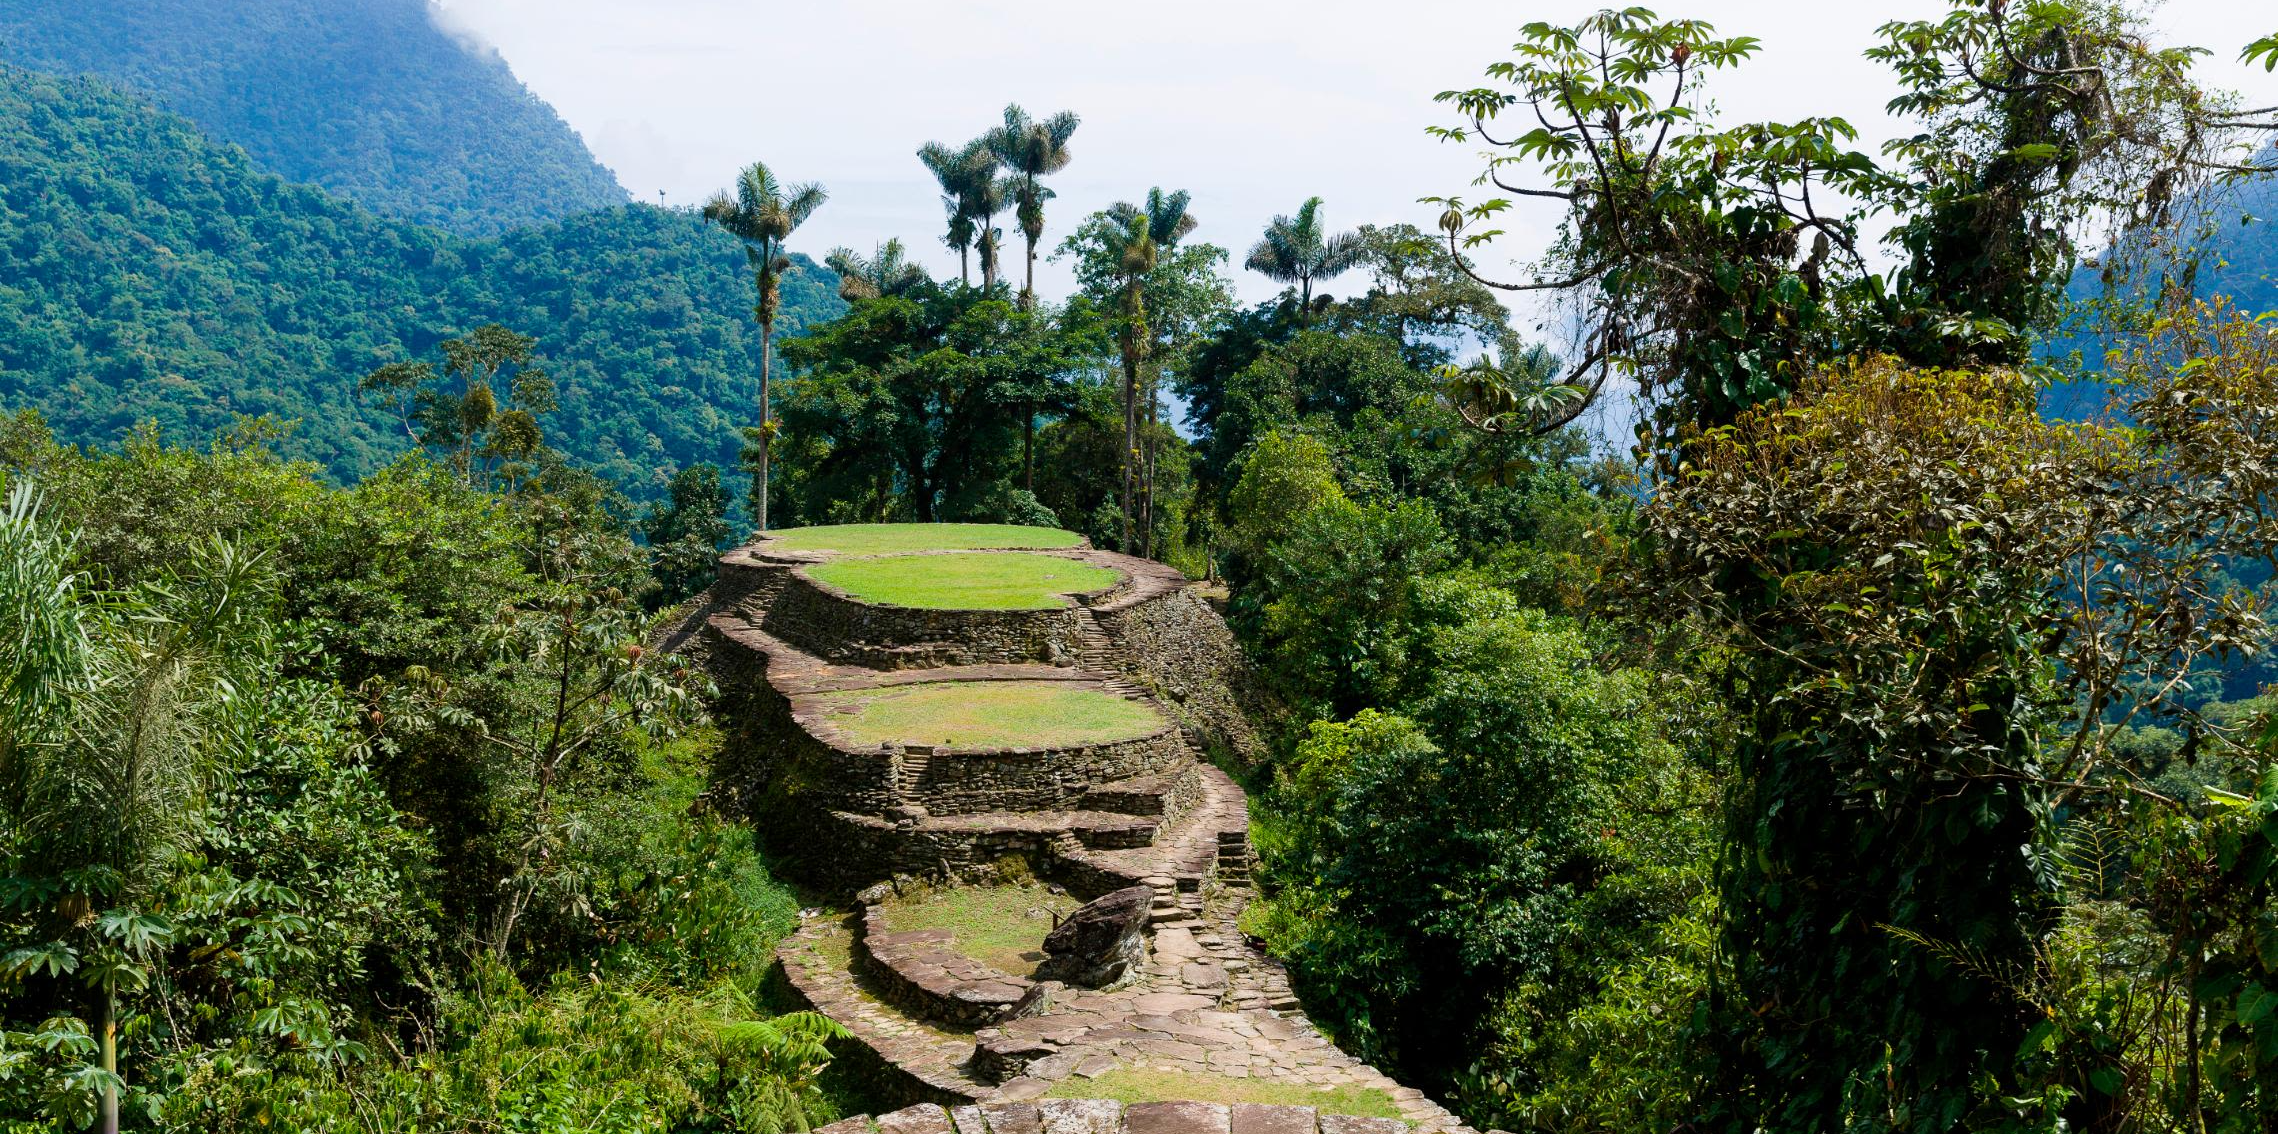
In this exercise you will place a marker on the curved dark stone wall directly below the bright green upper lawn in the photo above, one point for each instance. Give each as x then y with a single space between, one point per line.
842 630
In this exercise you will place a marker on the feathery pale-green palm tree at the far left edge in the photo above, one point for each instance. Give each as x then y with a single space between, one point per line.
104 748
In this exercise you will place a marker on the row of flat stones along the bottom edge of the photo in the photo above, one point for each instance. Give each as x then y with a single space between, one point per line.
1111 1117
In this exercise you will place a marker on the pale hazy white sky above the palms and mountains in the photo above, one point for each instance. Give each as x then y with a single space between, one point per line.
1247 104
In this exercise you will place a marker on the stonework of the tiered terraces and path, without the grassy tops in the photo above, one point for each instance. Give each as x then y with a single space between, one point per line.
1092 819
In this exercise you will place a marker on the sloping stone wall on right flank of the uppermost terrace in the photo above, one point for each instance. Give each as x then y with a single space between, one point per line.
1181 650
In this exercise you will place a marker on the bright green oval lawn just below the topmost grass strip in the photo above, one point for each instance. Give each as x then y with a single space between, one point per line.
967 582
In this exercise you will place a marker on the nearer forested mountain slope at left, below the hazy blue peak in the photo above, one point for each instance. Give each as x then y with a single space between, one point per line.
154 274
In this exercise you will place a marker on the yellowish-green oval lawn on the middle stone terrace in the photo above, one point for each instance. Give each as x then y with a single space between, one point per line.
988 714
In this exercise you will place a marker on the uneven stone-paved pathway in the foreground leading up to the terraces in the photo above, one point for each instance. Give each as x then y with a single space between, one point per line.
1208 1005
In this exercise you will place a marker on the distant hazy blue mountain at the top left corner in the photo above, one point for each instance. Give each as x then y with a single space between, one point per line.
361 97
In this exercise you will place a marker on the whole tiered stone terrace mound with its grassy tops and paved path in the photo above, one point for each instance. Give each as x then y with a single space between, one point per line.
978 684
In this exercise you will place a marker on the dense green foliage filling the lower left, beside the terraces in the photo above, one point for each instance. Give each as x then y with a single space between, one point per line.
395 878
